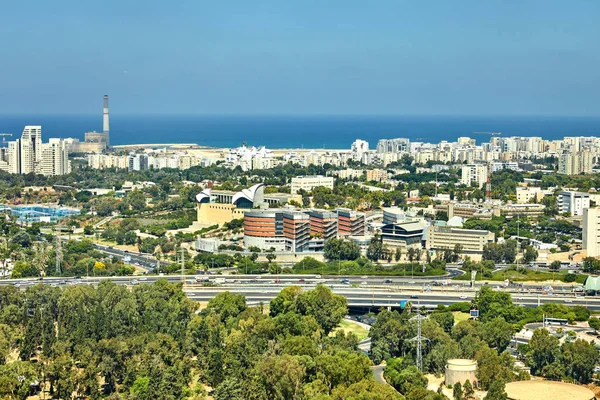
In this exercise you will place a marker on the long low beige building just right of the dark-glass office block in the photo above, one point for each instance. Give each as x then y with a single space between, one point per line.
444 237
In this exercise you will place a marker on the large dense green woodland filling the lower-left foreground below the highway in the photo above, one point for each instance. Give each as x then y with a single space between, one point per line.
150 343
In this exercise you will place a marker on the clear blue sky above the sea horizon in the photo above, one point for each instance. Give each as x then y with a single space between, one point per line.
301 57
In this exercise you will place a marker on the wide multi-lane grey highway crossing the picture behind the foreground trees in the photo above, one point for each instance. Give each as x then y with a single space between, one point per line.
363 292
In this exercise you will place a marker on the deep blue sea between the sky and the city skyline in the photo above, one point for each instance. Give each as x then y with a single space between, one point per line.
311 132
